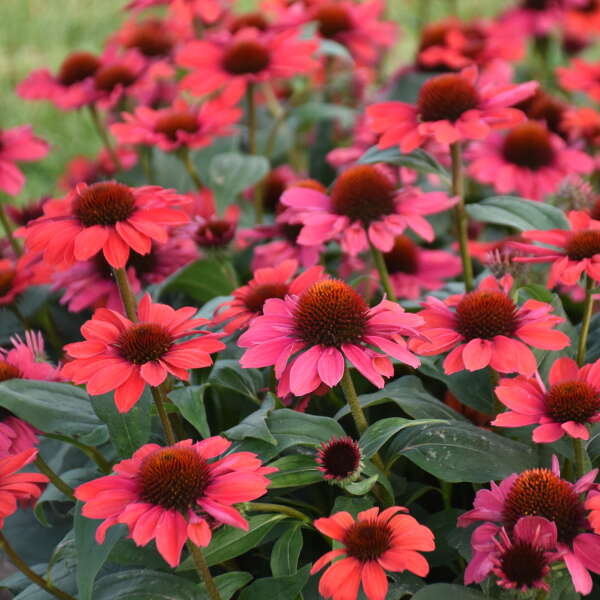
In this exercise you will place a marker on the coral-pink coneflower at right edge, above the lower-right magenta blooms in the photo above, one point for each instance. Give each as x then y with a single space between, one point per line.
567 406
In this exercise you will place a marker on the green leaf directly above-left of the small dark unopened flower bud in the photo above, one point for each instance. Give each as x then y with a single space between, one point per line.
292 428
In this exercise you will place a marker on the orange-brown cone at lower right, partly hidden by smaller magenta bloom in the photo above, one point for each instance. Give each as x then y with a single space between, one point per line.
539 492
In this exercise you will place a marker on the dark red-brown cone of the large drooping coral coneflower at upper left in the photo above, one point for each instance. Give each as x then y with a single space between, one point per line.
104 203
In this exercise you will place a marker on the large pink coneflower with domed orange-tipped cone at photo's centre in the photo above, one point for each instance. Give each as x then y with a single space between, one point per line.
318 330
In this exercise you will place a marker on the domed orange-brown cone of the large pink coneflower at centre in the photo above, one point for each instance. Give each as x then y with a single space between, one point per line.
331 313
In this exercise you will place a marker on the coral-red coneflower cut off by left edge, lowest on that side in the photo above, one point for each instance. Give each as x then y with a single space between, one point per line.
18 488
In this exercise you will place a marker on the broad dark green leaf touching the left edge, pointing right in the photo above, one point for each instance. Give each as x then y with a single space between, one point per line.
54 408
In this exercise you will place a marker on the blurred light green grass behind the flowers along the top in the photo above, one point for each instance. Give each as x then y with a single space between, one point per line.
39 33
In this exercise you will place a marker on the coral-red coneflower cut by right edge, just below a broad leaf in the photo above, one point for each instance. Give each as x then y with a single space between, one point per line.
578 249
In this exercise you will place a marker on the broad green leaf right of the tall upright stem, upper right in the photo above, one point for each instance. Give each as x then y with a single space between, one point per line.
518 213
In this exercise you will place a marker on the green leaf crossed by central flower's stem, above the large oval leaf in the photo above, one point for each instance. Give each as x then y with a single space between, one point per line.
408 393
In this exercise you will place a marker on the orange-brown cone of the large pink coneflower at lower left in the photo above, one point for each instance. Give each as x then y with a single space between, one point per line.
173 477
